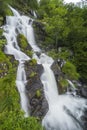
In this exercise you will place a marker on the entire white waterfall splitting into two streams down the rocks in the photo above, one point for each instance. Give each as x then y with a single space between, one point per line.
65 111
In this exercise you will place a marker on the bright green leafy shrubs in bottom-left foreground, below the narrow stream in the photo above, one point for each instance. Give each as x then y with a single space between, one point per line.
14 120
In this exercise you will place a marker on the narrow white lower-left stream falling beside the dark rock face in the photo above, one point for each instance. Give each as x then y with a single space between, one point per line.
20 82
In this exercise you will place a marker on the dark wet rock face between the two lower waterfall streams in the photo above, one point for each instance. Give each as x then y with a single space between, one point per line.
38 103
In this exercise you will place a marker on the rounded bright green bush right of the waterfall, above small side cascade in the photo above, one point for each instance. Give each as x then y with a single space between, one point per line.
70 70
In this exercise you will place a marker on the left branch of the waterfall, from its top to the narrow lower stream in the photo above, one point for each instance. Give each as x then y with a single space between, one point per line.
12 48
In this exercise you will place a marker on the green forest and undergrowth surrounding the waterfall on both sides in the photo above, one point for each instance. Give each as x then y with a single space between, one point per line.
64 28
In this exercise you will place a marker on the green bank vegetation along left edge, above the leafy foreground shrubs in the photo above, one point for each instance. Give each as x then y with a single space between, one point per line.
9 98
